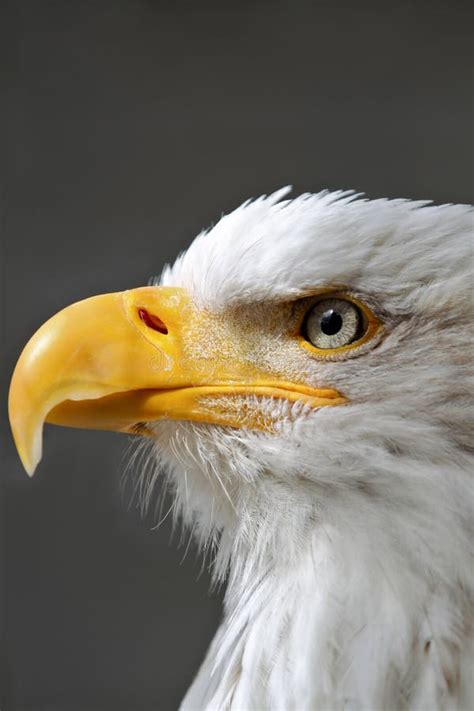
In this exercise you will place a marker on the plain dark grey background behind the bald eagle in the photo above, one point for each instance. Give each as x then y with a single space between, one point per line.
130 125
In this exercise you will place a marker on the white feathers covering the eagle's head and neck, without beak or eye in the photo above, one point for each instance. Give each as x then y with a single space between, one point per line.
345 537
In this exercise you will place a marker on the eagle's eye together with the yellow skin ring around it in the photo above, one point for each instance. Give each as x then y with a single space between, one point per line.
337 324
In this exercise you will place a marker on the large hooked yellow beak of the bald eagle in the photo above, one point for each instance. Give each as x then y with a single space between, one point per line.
118 361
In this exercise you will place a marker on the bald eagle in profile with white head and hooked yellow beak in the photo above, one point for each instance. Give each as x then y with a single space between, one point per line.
302 372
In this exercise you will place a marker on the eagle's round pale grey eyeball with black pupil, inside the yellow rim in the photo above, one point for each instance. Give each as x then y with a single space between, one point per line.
334 323
